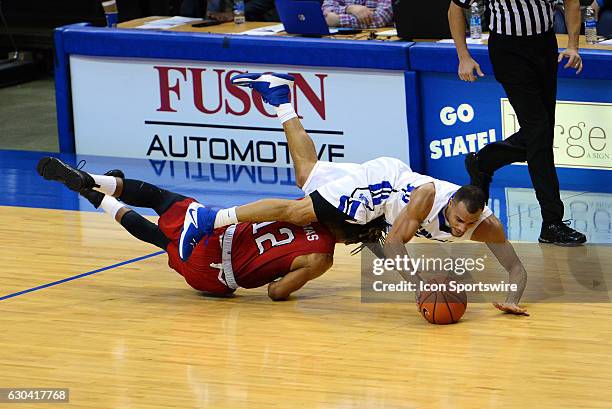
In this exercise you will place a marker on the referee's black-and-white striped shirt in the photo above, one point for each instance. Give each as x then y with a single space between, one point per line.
518 17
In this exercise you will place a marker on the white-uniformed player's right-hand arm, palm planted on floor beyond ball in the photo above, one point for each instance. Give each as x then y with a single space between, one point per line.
491 232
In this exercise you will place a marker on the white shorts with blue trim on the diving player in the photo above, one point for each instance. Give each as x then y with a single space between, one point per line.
359 191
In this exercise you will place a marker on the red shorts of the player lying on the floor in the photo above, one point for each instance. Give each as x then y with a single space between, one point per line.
200 270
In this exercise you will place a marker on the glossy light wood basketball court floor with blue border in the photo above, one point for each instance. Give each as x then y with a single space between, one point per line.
85 306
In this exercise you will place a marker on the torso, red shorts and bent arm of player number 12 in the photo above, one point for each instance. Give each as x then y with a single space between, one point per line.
250 255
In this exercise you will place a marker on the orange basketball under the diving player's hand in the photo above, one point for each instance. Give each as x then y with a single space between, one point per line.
439 305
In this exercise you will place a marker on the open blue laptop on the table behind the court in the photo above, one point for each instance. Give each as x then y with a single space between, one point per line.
303 17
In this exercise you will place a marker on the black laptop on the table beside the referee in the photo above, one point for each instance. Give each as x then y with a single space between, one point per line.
421 19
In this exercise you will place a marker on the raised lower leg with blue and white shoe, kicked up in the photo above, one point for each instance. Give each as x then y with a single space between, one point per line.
275 89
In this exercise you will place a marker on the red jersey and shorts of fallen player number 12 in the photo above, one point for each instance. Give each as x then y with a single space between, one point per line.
260 252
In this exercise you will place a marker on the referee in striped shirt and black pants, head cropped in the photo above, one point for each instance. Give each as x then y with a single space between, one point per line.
524 54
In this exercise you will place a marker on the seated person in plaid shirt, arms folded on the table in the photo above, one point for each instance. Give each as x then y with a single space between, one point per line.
358 13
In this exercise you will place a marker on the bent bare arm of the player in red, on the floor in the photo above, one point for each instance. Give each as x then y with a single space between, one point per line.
304 269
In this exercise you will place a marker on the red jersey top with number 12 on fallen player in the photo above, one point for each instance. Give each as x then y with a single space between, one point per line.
263 252
